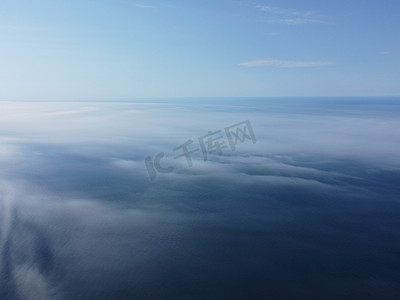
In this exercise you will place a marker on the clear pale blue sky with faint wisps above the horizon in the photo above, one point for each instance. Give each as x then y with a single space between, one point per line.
124 49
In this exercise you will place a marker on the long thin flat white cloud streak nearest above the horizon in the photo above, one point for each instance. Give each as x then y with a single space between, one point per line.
284 63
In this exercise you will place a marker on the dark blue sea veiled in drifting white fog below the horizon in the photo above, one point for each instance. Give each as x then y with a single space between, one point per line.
305 204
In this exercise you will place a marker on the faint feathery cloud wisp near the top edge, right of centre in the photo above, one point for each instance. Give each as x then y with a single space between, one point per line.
287 16
